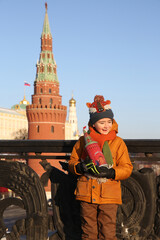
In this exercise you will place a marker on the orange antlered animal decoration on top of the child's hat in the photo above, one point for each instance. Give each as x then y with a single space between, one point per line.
99 105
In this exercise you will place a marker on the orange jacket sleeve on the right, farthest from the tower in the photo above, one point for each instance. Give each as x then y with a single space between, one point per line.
123 168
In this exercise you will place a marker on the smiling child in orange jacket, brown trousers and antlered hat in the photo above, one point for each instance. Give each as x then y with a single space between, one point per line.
98 188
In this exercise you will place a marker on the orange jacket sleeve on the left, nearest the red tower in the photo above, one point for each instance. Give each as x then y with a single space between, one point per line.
76 155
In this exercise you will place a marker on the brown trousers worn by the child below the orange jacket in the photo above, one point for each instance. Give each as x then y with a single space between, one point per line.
98 221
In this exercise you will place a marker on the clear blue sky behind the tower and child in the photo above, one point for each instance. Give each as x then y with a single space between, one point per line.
105 47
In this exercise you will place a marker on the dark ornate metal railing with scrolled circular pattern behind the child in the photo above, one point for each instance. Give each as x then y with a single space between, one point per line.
140 192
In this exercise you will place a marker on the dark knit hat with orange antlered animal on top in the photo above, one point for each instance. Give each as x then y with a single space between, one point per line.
99 109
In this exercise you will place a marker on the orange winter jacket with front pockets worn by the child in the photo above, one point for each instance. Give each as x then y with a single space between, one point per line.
88 189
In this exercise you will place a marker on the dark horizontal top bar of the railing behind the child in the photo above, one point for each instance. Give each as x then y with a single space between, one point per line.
65 146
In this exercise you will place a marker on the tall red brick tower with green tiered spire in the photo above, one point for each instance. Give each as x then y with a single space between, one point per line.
46 115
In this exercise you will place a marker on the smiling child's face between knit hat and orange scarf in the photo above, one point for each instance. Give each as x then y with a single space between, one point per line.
103 125
